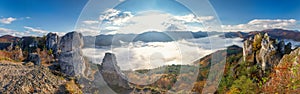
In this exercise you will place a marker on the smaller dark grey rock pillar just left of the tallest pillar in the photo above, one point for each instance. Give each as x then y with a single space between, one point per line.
52 40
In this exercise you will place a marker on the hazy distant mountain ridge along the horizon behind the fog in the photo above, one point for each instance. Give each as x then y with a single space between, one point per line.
154 36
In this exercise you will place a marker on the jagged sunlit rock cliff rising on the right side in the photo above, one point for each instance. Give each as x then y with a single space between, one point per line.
264 51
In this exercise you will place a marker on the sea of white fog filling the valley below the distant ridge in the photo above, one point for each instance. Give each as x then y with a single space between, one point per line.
148 55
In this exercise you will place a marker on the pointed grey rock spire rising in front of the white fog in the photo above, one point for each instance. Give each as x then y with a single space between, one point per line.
111 72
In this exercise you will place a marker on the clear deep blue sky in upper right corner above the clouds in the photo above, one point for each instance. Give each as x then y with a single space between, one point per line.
242 11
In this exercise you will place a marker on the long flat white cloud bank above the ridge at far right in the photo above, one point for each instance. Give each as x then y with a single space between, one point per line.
262 24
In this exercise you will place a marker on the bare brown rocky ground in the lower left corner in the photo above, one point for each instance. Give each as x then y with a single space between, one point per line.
20 79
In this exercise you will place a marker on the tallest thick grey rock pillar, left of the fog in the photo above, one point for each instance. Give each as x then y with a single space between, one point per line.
70 59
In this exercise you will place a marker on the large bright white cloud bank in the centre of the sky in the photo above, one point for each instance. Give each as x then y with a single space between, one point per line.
150 20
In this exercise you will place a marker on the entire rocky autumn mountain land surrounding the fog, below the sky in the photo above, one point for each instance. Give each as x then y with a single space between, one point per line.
56 64
